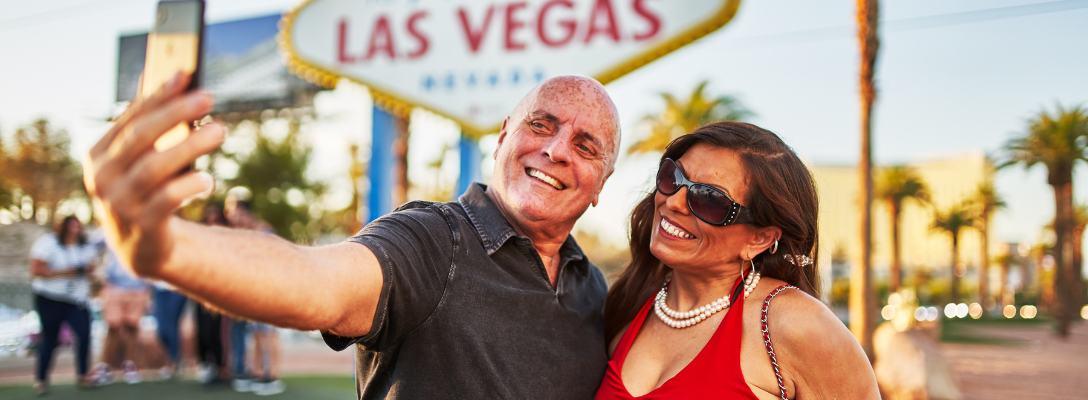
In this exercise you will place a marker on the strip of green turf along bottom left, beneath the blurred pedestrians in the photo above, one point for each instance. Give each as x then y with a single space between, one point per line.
301 387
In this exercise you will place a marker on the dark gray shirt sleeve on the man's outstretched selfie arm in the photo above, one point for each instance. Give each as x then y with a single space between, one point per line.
415 247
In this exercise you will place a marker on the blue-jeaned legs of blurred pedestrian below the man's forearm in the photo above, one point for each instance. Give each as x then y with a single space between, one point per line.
168 309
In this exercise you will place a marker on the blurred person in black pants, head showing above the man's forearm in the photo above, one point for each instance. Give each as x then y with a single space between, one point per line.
211 322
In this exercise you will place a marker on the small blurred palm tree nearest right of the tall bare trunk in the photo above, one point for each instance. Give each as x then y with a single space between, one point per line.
896 185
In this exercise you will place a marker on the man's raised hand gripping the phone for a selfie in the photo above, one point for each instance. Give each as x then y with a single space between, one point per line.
137 187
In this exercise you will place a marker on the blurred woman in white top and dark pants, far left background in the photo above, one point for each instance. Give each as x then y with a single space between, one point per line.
60 267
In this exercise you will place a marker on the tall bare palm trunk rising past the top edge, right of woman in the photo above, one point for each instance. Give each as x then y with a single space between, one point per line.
862 305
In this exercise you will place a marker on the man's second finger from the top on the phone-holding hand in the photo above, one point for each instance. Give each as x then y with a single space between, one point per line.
142 133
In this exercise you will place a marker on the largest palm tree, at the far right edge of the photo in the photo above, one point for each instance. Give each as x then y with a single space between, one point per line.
1058 142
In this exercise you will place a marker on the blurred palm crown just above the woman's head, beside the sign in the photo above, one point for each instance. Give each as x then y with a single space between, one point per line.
681 118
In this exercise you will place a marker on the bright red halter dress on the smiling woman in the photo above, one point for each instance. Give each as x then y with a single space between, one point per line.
715 373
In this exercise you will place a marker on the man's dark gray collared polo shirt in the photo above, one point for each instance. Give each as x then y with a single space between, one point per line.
468 312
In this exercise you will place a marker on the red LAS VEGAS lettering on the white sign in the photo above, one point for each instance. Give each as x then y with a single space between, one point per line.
555 22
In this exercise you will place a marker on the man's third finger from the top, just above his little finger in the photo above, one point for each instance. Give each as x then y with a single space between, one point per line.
153 170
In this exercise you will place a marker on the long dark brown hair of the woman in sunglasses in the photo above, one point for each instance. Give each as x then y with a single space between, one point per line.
782 194
